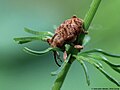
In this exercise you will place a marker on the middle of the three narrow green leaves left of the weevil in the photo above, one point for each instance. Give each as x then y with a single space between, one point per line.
23 40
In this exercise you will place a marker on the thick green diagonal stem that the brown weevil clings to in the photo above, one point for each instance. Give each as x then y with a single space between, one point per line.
87 21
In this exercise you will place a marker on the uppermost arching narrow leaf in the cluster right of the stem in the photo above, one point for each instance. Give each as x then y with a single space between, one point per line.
102 52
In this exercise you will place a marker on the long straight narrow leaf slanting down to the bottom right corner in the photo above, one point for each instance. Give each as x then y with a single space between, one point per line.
101 70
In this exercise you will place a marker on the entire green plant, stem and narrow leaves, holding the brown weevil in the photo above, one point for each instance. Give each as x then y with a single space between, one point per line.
90 56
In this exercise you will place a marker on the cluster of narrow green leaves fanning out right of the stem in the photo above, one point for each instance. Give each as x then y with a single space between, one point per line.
92 57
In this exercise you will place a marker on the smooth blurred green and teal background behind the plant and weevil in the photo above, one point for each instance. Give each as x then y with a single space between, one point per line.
21 71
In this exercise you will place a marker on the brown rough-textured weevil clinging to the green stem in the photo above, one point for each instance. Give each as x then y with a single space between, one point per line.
67 32
